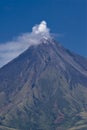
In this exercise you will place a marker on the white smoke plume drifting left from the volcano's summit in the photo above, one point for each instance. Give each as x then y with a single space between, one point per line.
12 49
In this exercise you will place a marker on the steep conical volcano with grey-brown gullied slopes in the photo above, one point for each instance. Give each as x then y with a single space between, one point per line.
45 88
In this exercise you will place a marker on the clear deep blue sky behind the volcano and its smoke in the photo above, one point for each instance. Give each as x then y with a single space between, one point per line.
65 17
